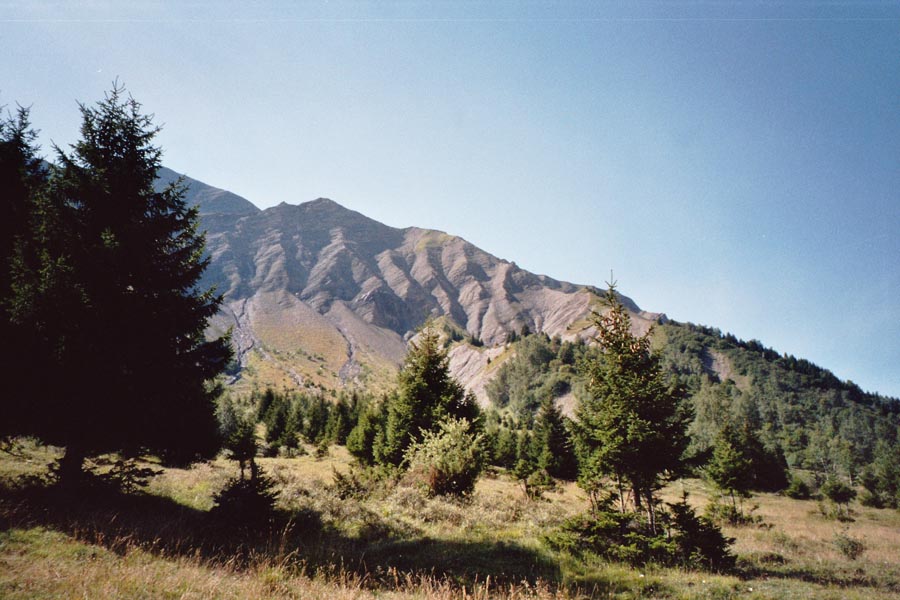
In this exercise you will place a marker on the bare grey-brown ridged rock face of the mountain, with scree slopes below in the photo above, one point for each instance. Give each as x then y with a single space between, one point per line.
319 295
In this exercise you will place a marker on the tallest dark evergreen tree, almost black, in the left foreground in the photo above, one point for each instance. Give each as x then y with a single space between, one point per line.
115 302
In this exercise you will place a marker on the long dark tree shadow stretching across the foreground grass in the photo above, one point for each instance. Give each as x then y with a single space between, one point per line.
120 522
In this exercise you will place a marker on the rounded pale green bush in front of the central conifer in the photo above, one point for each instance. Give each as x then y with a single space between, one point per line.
448 461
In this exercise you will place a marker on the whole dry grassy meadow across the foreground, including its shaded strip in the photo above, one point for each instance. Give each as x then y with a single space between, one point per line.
365 539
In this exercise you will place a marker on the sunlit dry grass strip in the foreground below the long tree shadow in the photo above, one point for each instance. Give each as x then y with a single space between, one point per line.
37 563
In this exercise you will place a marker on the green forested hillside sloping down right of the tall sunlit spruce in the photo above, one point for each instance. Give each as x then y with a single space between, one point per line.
821 423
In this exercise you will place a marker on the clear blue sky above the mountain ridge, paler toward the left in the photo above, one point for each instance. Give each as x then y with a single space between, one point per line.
737 164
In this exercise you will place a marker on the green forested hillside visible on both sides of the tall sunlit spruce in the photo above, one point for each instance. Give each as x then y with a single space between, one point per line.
790 407
